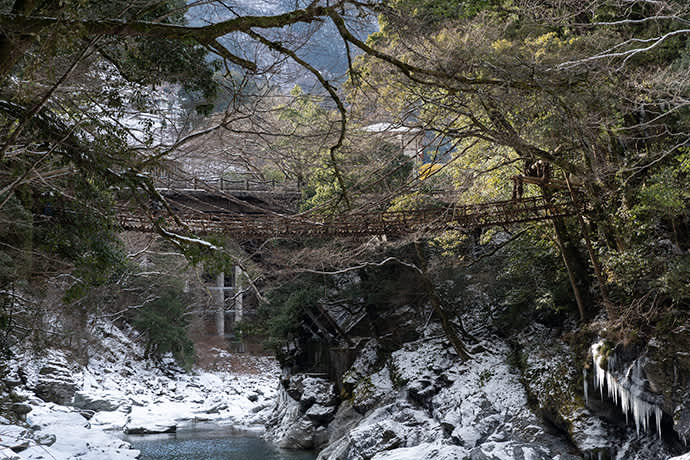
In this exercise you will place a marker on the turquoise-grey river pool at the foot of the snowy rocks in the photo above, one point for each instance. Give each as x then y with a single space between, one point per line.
211 445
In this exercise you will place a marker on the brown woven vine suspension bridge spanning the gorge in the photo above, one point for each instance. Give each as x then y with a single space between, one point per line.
355 224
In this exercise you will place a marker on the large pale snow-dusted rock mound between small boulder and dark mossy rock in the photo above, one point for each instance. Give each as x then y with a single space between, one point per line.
423 403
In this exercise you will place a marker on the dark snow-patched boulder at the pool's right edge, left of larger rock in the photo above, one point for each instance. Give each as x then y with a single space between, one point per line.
305 406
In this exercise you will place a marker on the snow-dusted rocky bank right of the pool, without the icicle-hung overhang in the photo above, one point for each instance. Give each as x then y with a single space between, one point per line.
522 400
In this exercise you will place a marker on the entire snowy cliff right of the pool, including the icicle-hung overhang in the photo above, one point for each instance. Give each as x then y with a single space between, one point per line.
527 393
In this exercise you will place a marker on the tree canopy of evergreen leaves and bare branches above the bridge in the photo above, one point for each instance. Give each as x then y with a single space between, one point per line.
586 101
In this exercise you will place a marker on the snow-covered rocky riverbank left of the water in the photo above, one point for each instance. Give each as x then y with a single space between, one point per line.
118 391
